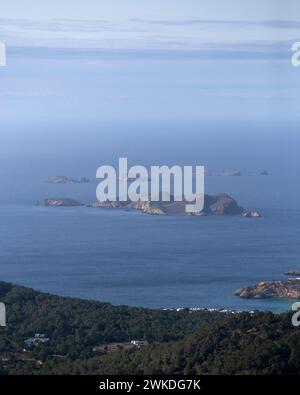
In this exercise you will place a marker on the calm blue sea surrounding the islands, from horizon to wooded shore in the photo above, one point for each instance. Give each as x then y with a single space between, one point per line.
140 260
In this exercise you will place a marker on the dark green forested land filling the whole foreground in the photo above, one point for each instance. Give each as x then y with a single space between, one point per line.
180 342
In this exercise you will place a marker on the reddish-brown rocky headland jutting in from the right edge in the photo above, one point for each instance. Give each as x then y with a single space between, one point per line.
271 289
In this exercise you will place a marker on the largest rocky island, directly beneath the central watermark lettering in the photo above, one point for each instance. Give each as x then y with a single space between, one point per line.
220 204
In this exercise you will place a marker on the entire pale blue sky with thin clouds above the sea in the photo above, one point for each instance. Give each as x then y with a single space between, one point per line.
192 59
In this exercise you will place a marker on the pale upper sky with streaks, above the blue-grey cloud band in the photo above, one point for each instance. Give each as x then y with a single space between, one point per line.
147 23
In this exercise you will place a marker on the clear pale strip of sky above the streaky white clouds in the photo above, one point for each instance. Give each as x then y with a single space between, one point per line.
163 9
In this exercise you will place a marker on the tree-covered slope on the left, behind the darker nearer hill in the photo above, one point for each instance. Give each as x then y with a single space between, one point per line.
75 326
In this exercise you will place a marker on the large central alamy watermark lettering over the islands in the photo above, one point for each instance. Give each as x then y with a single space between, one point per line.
156 187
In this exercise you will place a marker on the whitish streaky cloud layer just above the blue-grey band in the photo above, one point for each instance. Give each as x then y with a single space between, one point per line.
211 38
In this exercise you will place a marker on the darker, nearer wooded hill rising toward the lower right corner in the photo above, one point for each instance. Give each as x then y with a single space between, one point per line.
243 344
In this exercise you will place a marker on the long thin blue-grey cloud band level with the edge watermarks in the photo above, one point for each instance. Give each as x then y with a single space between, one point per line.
263 52
